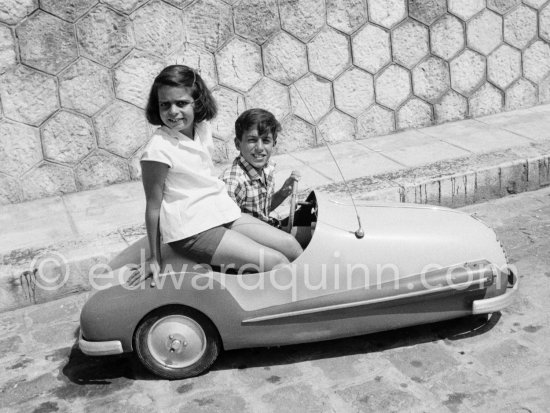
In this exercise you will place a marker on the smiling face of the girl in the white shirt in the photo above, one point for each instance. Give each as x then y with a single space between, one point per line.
176 108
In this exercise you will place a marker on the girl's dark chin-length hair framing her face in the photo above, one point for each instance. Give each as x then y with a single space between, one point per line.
205 107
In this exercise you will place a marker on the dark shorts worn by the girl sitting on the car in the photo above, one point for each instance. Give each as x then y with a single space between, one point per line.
202 246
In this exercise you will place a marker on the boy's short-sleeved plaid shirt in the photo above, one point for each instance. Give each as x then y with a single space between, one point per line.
250 191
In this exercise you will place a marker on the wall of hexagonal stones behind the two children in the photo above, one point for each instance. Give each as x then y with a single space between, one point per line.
74 75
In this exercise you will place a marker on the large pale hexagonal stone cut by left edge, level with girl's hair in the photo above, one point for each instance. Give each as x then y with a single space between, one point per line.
27 95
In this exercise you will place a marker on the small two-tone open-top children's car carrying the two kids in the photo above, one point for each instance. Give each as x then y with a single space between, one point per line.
409 264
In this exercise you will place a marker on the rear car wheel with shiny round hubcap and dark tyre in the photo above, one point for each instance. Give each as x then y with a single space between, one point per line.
176 342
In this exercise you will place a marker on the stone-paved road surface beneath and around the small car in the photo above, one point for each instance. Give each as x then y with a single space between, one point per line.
471 364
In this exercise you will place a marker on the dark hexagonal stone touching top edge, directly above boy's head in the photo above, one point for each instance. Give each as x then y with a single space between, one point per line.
248 14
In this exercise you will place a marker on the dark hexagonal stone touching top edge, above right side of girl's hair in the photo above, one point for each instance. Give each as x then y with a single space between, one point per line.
208 23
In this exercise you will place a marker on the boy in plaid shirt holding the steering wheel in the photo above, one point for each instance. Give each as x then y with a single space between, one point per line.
249 181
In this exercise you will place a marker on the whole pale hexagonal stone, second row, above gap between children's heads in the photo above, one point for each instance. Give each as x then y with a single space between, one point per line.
239 64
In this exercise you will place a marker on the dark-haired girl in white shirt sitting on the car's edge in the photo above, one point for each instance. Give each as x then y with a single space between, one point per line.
187 205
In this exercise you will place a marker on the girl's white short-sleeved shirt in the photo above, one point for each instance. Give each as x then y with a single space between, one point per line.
194 198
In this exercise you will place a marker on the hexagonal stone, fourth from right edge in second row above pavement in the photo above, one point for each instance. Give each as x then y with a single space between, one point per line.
431 79
